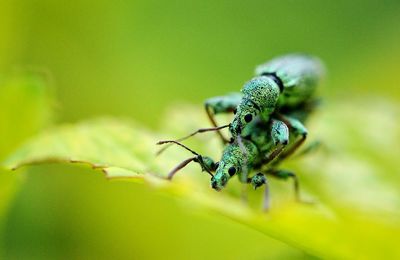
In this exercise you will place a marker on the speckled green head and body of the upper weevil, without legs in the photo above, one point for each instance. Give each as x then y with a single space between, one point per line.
285 82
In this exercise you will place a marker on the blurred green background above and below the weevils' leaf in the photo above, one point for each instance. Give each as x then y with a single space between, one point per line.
136 58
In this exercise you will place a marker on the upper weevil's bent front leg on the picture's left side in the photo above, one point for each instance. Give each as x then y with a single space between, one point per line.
219 105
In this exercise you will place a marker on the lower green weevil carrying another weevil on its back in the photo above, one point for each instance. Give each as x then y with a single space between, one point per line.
255 153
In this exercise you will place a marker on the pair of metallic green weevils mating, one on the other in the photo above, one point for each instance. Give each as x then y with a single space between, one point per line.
268 122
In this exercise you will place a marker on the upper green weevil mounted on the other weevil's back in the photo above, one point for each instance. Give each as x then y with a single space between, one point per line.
283 85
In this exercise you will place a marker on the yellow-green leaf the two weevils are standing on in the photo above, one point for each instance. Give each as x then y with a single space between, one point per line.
352 179
